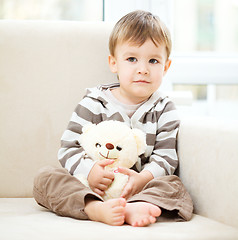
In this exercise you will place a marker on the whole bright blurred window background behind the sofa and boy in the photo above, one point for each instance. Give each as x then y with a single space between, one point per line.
204 34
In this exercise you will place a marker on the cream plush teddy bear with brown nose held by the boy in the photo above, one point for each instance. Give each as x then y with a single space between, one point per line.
112 140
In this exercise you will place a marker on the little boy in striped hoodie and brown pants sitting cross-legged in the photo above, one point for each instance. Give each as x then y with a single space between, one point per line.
140 47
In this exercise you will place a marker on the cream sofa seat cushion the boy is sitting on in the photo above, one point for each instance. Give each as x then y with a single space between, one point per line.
22 218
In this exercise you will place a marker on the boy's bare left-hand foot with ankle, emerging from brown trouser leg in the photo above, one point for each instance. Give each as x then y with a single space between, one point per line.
111 212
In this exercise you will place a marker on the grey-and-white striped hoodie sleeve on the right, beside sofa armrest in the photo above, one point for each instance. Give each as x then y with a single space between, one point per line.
164 158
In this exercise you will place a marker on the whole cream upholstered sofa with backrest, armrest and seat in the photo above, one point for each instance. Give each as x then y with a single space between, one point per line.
45 67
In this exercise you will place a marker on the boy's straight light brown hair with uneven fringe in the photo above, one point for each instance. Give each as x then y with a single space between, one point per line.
137 27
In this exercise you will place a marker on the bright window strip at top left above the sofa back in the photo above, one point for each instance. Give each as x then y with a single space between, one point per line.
79 10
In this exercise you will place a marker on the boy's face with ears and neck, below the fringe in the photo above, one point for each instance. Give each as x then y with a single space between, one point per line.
140 70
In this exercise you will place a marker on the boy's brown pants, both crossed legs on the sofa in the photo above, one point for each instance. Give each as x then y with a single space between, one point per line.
63 194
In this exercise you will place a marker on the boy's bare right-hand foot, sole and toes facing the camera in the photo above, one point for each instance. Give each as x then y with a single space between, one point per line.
140 214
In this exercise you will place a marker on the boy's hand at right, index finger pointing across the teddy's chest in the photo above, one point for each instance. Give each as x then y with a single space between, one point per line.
136 181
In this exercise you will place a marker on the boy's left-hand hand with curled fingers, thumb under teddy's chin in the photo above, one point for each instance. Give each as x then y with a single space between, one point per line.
99 179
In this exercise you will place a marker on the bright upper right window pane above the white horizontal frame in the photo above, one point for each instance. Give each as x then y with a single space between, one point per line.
206 25
